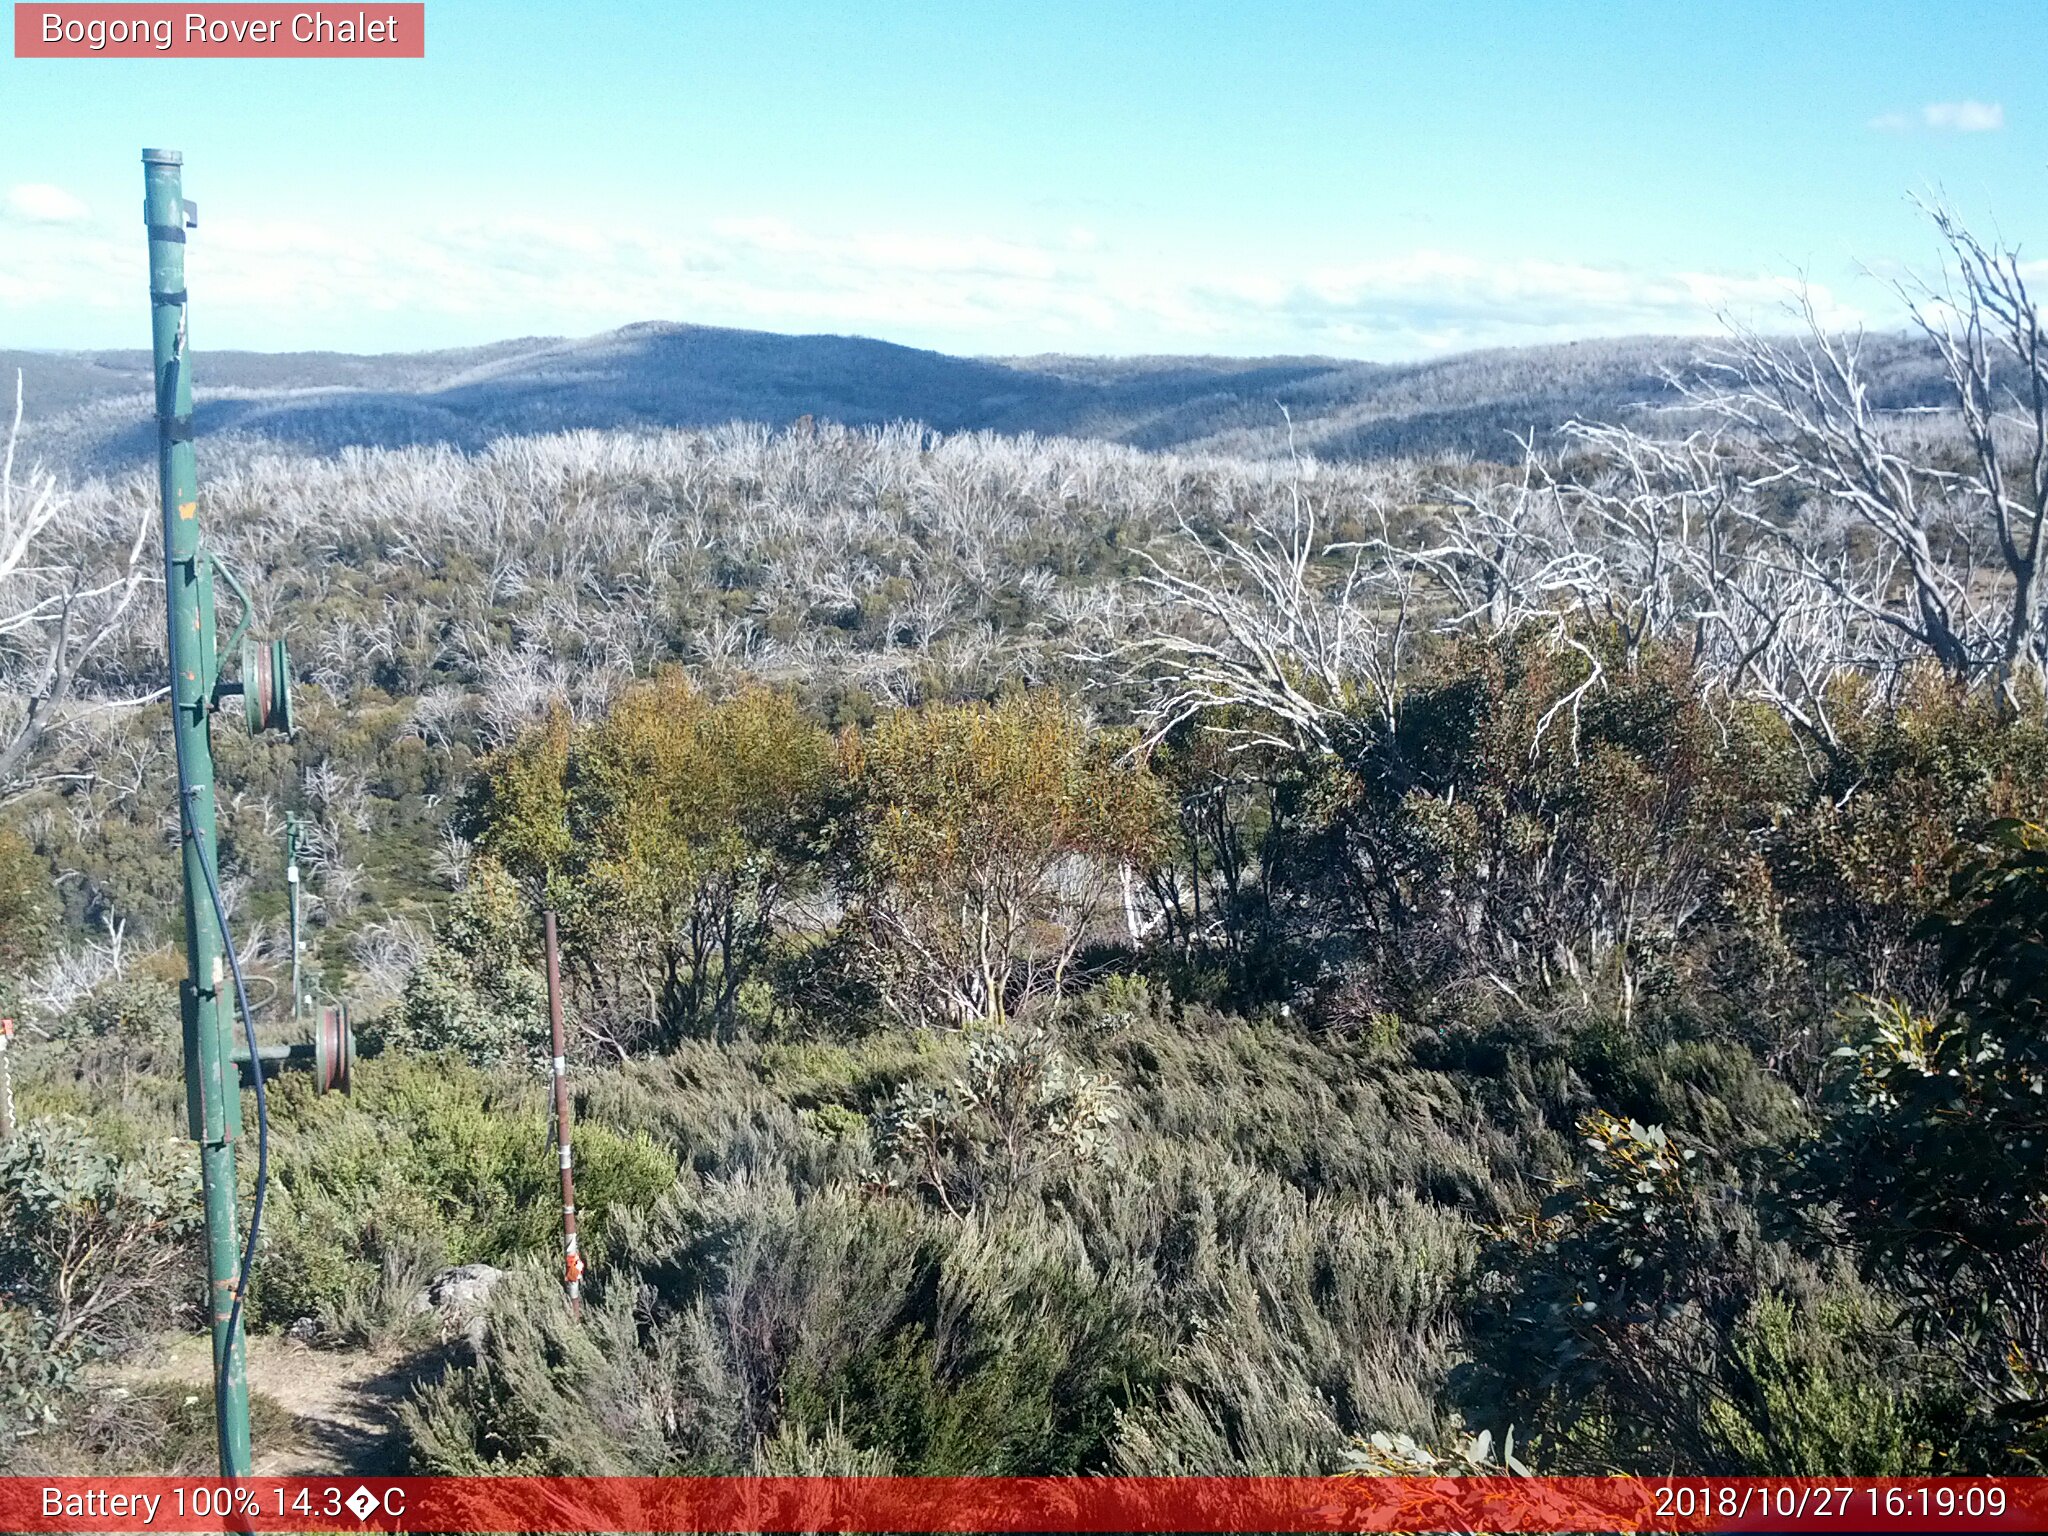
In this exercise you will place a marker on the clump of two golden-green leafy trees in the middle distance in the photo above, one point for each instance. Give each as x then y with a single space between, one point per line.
978 845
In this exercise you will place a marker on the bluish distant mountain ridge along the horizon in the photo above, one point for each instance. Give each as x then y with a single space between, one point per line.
91 411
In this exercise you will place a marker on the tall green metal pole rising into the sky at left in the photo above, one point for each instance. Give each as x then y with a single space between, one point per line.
212 1084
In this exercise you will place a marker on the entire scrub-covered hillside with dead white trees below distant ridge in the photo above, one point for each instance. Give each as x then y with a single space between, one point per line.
1082 957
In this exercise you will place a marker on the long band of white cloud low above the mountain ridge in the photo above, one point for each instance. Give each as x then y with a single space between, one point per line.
302 286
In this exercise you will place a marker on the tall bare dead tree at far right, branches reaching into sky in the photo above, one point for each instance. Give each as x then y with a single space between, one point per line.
1943 550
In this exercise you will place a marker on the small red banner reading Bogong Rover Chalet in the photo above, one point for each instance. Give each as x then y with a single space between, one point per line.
220 32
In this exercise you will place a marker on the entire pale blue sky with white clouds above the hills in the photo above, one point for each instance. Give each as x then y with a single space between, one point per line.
1377 181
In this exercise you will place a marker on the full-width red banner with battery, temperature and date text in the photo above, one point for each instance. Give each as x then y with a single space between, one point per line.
1005 1504
